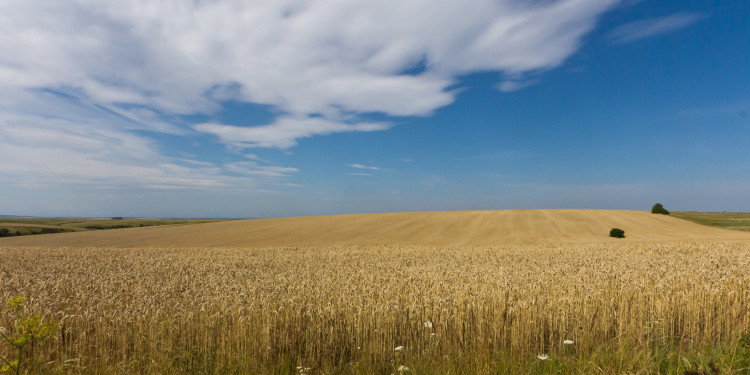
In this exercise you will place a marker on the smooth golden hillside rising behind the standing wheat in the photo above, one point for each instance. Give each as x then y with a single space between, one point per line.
454 228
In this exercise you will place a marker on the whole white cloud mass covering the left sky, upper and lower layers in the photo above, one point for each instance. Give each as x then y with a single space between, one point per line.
81 80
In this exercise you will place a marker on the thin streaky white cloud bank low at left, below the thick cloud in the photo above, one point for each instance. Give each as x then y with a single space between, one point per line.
63 153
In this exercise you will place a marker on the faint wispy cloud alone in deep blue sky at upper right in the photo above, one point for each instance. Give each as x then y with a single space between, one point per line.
646 28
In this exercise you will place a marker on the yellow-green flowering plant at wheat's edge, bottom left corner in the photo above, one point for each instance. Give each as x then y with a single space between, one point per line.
30 333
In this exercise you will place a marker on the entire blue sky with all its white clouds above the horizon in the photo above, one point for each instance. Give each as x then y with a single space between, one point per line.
245 109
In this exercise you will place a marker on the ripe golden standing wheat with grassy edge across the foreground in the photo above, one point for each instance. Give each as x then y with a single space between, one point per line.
677 308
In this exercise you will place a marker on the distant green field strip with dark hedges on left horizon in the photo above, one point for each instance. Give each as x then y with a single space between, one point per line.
27 226
